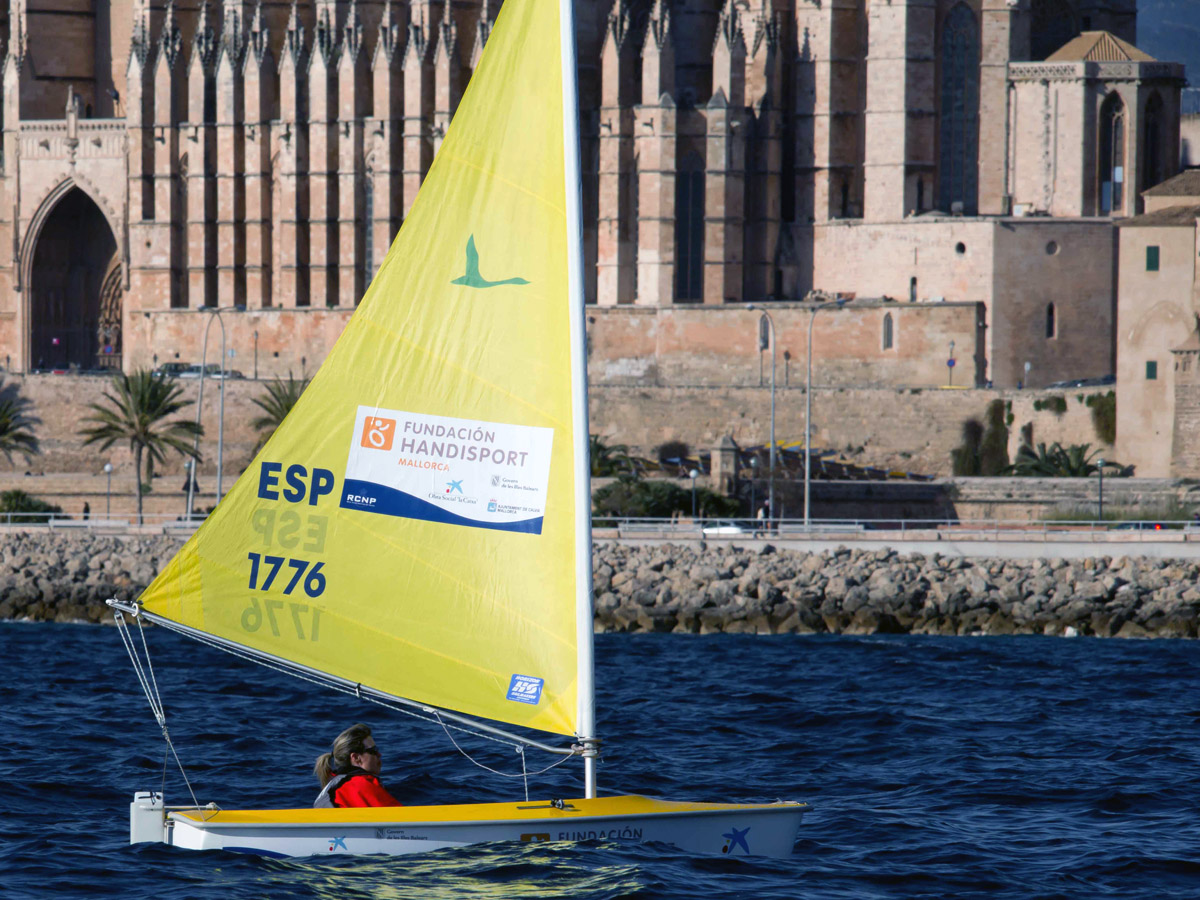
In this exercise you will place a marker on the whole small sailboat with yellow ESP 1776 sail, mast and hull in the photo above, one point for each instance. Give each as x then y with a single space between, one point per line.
418 530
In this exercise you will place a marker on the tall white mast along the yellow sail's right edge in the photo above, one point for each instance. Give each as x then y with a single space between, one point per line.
579 397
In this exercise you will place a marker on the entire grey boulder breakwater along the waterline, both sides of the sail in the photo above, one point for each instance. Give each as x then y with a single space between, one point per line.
703 590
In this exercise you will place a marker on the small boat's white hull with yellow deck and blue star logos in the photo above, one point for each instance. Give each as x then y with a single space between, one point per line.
733 830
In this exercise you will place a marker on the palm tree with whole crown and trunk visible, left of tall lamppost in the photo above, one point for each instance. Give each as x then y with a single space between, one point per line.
135 412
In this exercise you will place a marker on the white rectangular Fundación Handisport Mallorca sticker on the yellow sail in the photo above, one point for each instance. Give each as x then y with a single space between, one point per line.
459 472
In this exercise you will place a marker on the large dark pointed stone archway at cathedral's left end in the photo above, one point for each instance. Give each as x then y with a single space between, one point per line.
75 289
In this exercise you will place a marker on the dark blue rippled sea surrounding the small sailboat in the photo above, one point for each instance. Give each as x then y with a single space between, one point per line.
937 767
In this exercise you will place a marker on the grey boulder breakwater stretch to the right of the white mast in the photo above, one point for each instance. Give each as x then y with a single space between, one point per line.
764 591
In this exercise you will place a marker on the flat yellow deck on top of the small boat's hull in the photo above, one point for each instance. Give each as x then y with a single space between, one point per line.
601 807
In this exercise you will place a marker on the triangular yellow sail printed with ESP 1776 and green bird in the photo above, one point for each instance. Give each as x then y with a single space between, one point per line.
411 526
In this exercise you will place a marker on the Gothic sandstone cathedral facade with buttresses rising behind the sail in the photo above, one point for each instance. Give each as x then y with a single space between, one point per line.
260 157
